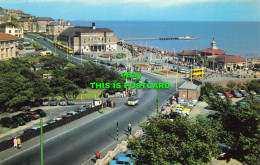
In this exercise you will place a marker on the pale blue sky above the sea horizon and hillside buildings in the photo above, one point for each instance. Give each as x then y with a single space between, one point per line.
168 10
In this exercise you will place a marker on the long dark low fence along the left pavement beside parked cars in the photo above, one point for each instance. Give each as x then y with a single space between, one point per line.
25 137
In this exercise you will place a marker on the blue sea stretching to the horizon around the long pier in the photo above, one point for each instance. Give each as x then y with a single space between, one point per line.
236 38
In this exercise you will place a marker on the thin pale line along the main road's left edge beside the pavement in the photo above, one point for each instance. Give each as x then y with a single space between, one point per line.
54 137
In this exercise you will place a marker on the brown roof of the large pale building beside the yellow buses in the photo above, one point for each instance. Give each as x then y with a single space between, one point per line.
71 31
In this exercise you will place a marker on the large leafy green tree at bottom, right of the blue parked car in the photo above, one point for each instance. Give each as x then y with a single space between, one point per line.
177 142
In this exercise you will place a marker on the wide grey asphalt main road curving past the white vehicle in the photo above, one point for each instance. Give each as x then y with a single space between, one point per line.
76 142
